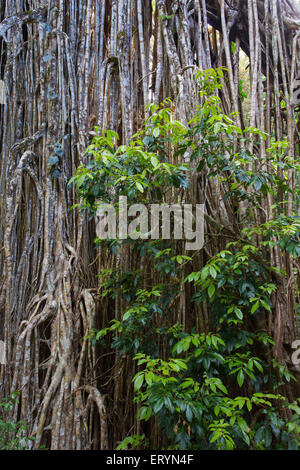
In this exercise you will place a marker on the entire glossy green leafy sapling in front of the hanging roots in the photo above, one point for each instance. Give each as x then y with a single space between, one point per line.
216 389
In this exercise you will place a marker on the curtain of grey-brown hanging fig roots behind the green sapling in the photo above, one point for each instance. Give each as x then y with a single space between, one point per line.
68 65
